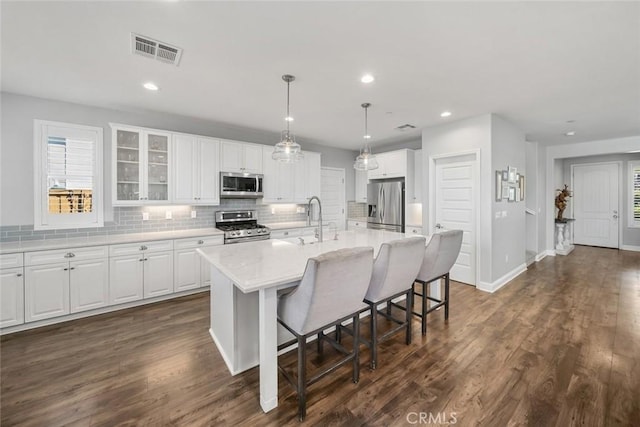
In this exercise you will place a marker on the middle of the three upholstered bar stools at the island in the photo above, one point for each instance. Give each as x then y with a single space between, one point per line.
394 271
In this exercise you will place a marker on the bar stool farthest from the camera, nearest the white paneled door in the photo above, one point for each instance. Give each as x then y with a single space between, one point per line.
439 256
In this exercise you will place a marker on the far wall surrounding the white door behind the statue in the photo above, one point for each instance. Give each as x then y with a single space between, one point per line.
630 236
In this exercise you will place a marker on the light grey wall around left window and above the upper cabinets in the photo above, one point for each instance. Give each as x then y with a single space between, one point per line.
16 145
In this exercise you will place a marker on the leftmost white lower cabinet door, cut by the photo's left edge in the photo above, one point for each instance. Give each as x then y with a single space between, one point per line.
11 296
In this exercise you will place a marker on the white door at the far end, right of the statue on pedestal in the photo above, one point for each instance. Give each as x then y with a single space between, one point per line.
595 204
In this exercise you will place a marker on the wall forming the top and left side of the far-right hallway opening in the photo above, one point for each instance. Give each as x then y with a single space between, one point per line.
556 153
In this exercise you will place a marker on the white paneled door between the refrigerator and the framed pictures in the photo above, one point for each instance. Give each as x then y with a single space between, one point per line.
455 210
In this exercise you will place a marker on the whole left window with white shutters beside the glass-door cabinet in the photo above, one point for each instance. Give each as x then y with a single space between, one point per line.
68 176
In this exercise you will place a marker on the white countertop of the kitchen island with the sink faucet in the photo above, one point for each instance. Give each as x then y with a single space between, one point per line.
255 265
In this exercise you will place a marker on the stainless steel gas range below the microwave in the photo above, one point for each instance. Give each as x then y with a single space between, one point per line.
241 226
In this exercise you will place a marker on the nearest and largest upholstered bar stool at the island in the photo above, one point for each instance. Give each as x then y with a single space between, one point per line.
330 292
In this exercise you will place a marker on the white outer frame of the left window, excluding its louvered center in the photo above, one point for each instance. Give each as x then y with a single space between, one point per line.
42 129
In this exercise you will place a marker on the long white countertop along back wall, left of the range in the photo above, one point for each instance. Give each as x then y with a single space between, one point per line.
112 239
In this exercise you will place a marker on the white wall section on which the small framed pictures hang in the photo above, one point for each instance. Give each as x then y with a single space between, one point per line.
508 233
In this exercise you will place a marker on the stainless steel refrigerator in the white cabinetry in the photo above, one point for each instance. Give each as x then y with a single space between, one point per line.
385 205
